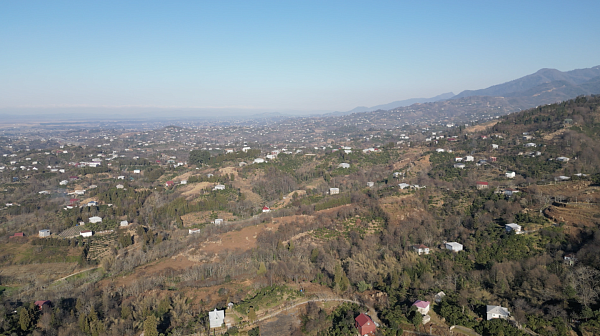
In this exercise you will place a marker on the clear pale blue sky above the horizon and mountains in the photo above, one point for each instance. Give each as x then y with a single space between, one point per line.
289 55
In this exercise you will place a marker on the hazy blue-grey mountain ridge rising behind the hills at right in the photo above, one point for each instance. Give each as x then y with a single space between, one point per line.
543 87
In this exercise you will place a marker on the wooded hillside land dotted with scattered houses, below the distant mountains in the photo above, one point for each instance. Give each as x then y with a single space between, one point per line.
369 224
